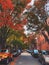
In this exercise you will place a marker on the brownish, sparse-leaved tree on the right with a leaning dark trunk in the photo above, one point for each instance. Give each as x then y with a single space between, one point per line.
36 16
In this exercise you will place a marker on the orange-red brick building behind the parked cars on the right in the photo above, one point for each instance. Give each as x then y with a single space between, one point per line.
42 44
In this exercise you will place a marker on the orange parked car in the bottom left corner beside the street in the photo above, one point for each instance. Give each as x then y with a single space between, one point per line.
5 56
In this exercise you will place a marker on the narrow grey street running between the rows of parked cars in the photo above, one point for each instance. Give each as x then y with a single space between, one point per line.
26 59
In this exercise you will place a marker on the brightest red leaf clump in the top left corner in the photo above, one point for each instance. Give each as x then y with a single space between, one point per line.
6 4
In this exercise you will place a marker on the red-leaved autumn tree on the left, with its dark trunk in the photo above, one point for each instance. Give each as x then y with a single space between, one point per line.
8 20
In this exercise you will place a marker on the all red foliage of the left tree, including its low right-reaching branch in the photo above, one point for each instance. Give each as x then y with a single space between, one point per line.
6 18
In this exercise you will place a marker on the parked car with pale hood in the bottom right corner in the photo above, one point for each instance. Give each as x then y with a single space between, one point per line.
44 57
